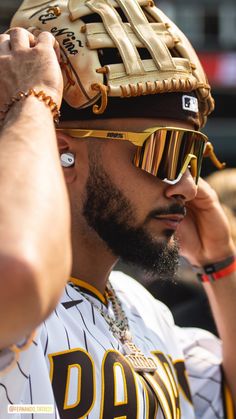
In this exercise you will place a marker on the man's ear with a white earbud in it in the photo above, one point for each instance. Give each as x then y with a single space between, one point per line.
67 156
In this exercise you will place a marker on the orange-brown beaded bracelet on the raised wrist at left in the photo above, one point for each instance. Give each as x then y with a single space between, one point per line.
39 95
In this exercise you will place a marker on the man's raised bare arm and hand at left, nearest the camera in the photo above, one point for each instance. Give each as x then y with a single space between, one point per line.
35 250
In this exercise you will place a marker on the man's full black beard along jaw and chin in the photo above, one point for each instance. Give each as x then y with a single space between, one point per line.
111 215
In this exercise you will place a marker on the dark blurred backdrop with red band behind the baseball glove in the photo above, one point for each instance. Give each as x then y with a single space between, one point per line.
211 27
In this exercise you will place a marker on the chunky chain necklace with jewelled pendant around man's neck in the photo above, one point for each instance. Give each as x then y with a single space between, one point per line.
119 326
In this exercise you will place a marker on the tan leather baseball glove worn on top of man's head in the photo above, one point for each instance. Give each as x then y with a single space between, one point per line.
172 66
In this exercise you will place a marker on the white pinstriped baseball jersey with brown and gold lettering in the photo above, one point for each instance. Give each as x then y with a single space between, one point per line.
77 365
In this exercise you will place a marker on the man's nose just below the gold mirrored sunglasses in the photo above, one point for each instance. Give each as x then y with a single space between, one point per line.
185 189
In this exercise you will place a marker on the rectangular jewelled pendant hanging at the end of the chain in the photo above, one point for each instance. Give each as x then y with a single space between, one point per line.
137 359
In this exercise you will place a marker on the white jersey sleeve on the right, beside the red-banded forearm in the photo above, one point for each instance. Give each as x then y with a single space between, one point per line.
203 360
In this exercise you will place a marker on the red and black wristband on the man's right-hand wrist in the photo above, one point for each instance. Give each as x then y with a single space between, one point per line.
215 271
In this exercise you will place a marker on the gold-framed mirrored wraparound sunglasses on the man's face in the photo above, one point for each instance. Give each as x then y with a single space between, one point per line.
164 152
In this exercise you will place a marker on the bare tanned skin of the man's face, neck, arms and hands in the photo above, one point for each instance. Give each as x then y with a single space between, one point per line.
29 213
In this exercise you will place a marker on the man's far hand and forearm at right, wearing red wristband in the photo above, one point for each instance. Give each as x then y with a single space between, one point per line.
206 239
